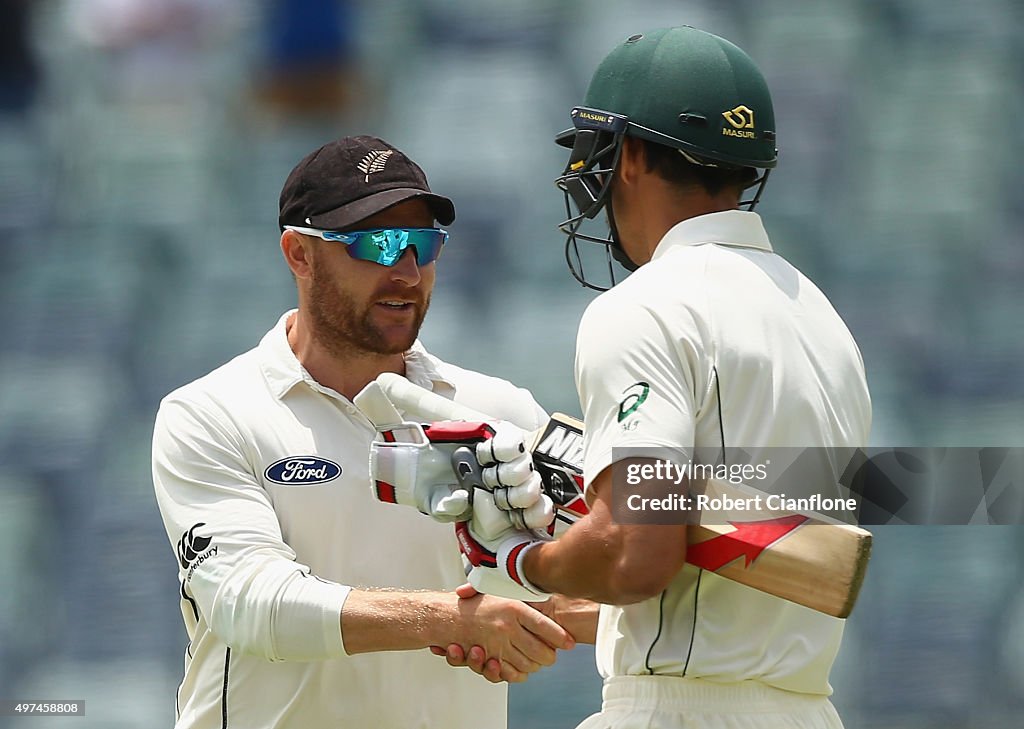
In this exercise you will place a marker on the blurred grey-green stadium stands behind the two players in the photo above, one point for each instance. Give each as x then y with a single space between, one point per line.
144 145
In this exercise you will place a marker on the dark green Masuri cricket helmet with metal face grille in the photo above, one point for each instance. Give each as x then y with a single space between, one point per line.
680 88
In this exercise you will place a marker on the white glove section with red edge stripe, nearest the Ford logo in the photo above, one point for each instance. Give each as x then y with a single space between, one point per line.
407 468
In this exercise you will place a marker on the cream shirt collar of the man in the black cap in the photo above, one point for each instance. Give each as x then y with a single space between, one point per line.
284 371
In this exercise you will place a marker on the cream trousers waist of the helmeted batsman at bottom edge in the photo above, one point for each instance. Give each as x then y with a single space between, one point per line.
673 703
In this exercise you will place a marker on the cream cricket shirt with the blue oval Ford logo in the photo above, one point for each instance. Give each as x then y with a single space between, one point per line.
262 478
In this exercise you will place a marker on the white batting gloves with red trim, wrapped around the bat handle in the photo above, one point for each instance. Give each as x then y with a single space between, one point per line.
479 476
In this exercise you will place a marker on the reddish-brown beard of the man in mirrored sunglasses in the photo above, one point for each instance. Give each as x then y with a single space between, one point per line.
346 329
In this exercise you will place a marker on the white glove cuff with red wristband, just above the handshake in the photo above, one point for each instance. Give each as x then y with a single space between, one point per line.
496 561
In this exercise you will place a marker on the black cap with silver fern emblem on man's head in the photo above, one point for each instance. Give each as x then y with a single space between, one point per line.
349 181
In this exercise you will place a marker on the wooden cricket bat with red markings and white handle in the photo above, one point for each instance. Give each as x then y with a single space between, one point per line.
800 558
